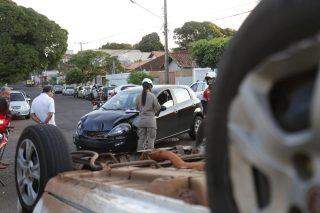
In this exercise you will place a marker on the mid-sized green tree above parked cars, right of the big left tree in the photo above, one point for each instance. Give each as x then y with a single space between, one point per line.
93 63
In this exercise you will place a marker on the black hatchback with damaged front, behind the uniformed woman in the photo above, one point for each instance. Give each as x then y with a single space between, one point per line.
111 128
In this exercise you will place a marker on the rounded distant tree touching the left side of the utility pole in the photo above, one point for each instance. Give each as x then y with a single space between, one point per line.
150 42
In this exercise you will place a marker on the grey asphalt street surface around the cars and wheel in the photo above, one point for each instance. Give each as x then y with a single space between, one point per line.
68 112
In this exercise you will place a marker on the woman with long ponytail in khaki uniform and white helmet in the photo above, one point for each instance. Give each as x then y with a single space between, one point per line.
148 107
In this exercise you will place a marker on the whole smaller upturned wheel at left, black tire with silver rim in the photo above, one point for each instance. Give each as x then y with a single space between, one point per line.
41 153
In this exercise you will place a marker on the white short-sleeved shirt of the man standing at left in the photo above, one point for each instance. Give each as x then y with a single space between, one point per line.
41 106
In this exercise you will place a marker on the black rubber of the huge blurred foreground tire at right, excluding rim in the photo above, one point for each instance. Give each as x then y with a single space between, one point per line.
267 34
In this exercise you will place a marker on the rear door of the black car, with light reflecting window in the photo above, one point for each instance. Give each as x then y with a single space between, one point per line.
184 108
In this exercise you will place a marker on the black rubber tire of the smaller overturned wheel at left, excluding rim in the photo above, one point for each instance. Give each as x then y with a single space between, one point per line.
53 157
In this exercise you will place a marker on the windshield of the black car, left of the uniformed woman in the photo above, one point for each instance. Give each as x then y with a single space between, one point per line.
122 101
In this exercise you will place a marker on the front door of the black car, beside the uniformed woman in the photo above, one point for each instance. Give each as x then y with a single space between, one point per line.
167 120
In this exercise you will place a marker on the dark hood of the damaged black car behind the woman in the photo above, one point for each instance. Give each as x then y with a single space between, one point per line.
101 120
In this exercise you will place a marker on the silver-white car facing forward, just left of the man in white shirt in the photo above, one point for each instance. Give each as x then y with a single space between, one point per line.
19 105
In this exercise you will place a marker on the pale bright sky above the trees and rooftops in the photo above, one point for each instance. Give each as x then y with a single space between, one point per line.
96 22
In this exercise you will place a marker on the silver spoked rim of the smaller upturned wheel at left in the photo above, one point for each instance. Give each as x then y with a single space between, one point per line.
28 172
